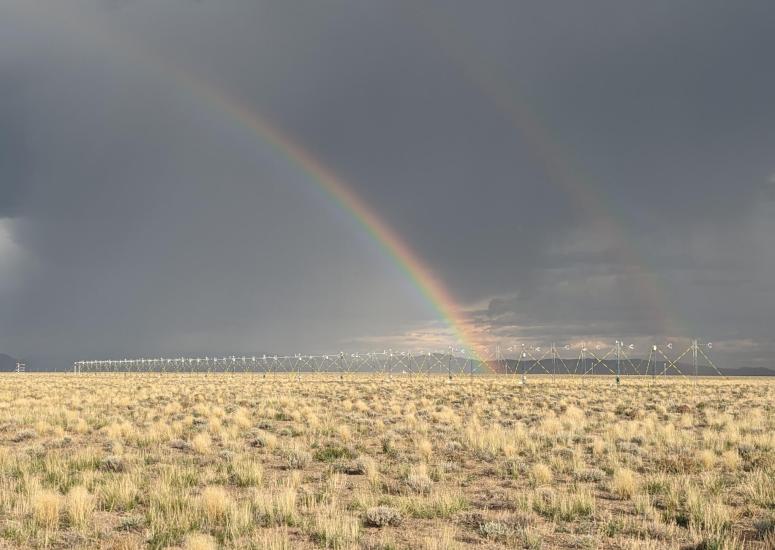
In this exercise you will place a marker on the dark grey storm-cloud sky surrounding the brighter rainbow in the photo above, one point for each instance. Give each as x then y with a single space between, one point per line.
569 170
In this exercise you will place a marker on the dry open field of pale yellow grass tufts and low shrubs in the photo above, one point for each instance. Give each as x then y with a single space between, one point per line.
131 461
